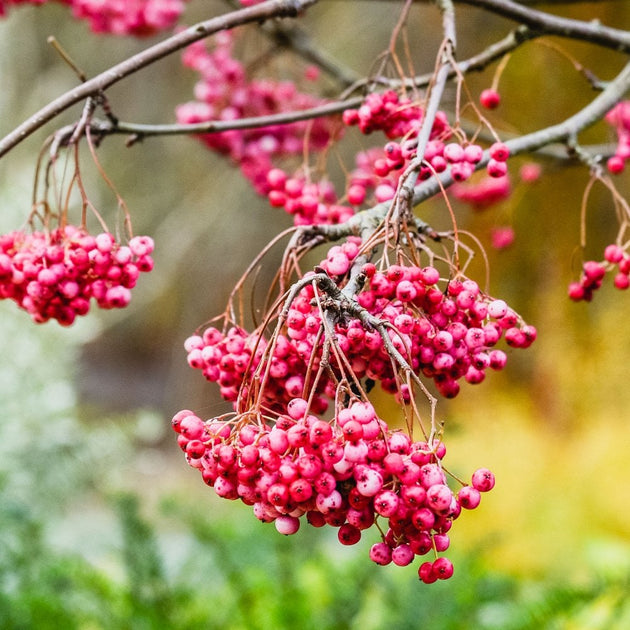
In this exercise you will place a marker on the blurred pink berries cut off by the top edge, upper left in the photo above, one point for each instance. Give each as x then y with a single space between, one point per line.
121 17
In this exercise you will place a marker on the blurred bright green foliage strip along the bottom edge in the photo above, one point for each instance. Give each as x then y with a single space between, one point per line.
238 574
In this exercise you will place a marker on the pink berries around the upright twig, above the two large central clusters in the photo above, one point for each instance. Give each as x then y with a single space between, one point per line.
378 169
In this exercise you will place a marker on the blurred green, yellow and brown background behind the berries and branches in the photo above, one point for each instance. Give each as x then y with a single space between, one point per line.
102 523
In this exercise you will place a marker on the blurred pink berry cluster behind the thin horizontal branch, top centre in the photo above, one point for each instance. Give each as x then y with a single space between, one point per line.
225 92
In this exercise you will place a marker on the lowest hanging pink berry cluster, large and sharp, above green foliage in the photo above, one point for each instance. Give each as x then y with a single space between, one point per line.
349 473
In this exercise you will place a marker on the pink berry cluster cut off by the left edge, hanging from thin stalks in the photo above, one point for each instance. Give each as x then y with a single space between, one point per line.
56 274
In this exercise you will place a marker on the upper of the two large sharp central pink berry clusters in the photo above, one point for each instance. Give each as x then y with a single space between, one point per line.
444 334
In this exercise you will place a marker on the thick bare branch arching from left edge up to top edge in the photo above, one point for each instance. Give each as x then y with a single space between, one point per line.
96 85
